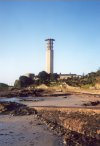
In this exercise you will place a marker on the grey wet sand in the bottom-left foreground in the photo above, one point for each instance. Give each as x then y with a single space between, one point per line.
26 131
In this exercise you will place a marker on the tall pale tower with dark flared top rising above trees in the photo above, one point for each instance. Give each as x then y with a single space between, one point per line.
49 56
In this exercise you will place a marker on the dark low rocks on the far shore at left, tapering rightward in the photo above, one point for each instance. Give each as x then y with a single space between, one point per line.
30 92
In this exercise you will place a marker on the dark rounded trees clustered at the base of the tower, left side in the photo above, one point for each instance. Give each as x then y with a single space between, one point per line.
42 78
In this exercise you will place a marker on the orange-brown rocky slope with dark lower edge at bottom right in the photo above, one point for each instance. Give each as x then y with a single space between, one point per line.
79 127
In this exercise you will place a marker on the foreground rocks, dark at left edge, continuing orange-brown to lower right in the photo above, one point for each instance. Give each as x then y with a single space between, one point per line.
77 126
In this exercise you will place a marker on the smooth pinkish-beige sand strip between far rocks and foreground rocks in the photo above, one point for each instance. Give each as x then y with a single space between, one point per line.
63 101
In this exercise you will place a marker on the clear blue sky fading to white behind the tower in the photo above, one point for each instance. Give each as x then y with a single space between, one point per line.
24 26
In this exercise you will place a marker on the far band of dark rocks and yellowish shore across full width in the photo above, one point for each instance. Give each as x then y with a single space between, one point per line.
50 92
